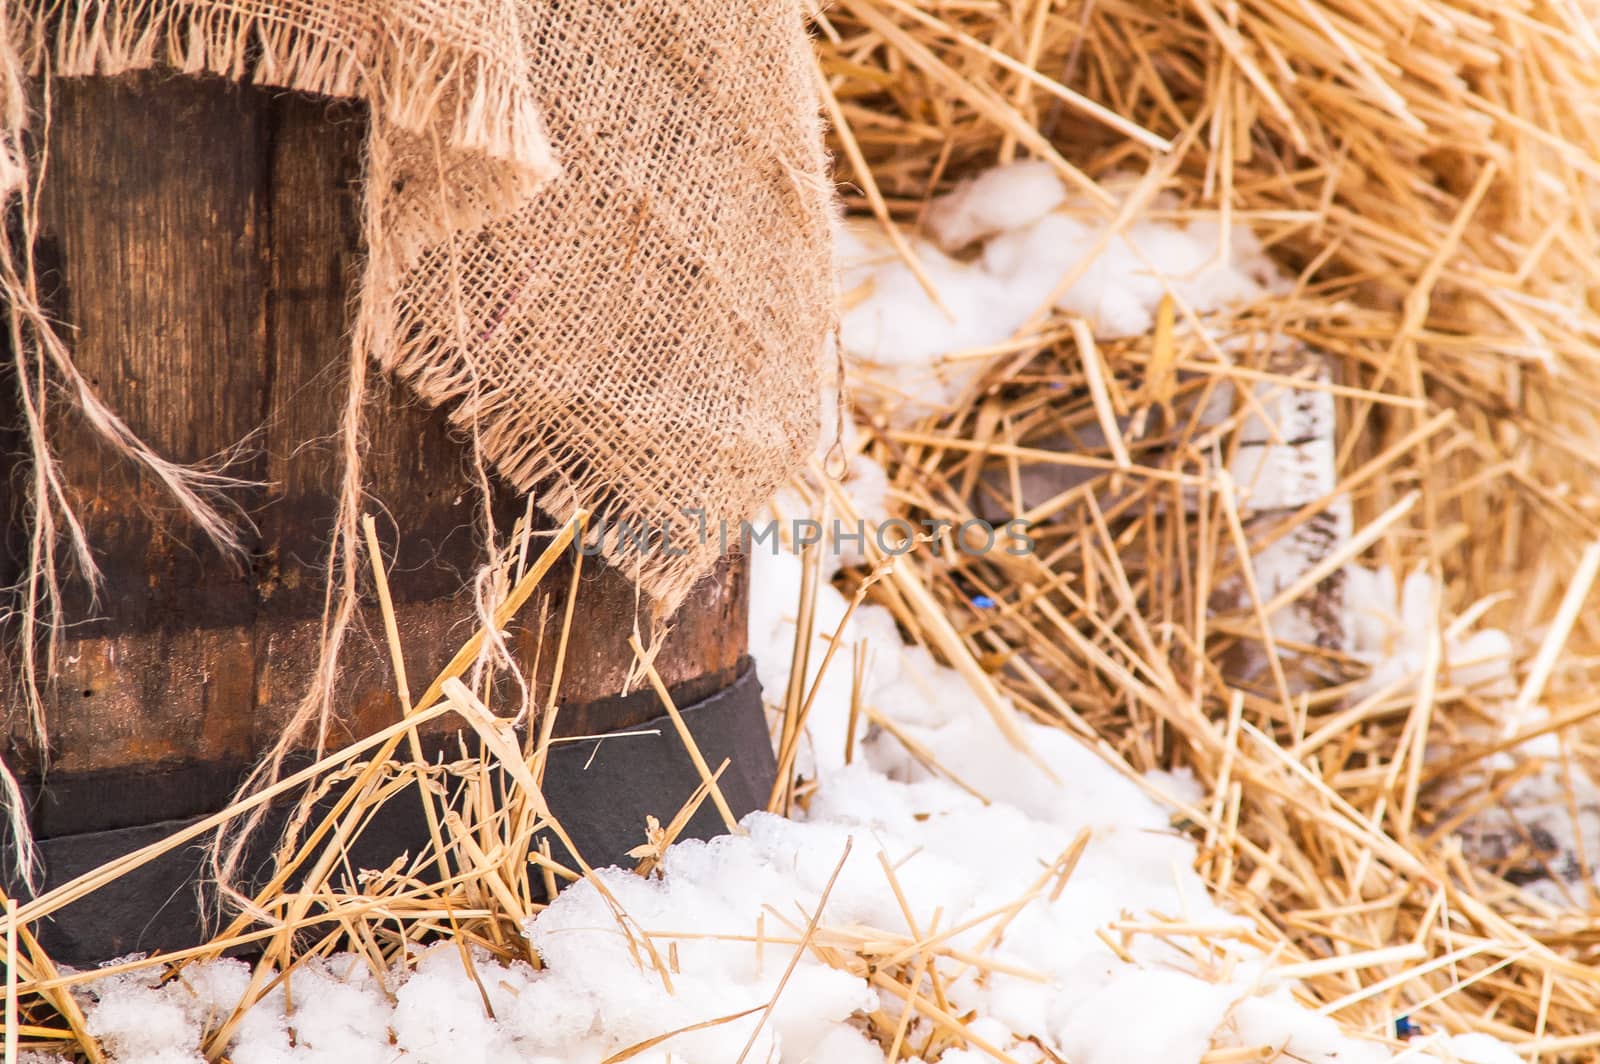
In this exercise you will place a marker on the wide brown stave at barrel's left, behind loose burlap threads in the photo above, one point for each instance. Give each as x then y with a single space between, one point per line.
153 258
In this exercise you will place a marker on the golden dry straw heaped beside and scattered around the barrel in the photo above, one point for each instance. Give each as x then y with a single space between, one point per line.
1426 174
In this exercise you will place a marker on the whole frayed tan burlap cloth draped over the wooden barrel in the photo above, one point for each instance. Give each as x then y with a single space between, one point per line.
598 230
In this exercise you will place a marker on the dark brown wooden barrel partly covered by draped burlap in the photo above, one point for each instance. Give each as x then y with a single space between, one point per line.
201 241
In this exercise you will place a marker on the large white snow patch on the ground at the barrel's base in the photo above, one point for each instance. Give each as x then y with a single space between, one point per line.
956 857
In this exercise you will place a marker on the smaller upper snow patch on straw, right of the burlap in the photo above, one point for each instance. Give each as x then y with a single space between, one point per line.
1030 238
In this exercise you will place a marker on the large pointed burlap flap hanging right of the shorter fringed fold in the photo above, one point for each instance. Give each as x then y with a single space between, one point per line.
644 337
